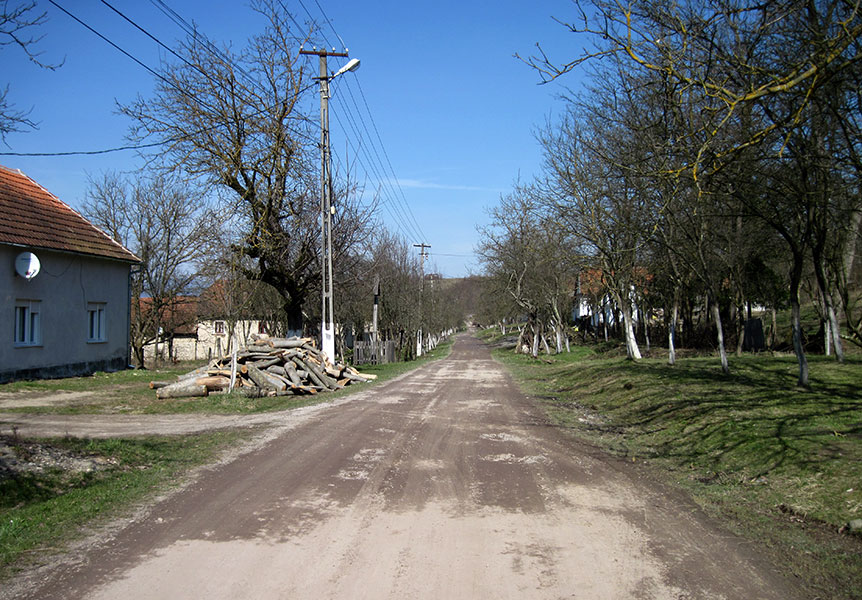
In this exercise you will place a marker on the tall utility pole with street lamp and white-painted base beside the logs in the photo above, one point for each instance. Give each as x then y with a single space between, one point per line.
327 325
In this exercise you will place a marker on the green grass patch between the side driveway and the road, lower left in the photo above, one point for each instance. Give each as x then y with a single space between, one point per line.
40 512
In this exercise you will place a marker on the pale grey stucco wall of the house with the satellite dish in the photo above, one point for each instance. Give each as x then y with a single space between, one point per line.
65 287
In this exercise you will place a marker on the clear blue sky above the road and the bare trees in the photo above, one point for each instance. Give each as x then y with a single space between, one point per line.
455 111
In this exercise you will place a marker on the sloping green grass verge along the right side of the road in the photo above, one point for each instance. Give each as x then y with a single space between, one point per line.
782 465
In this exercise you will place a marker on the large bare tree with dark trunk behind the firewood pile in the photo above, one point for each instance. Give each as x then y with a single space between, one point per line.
236 120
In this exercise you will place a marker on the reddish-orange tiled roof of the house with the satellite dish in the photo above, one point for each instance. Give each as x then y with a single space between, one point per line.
32 216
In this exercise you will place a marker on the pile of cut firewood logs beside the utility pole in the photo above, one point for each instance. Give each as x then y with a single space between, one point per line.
269 367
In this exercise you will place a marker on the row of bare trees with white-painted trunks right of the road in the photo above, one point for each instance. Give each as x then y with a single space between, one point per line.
713 161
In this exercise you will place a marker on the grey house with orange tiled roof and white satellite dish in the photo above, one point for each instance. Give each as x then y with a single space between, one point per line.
64 287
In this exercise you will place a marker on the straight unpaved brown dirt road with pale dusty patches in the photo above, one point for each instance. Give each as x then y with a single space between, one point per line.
445 484
